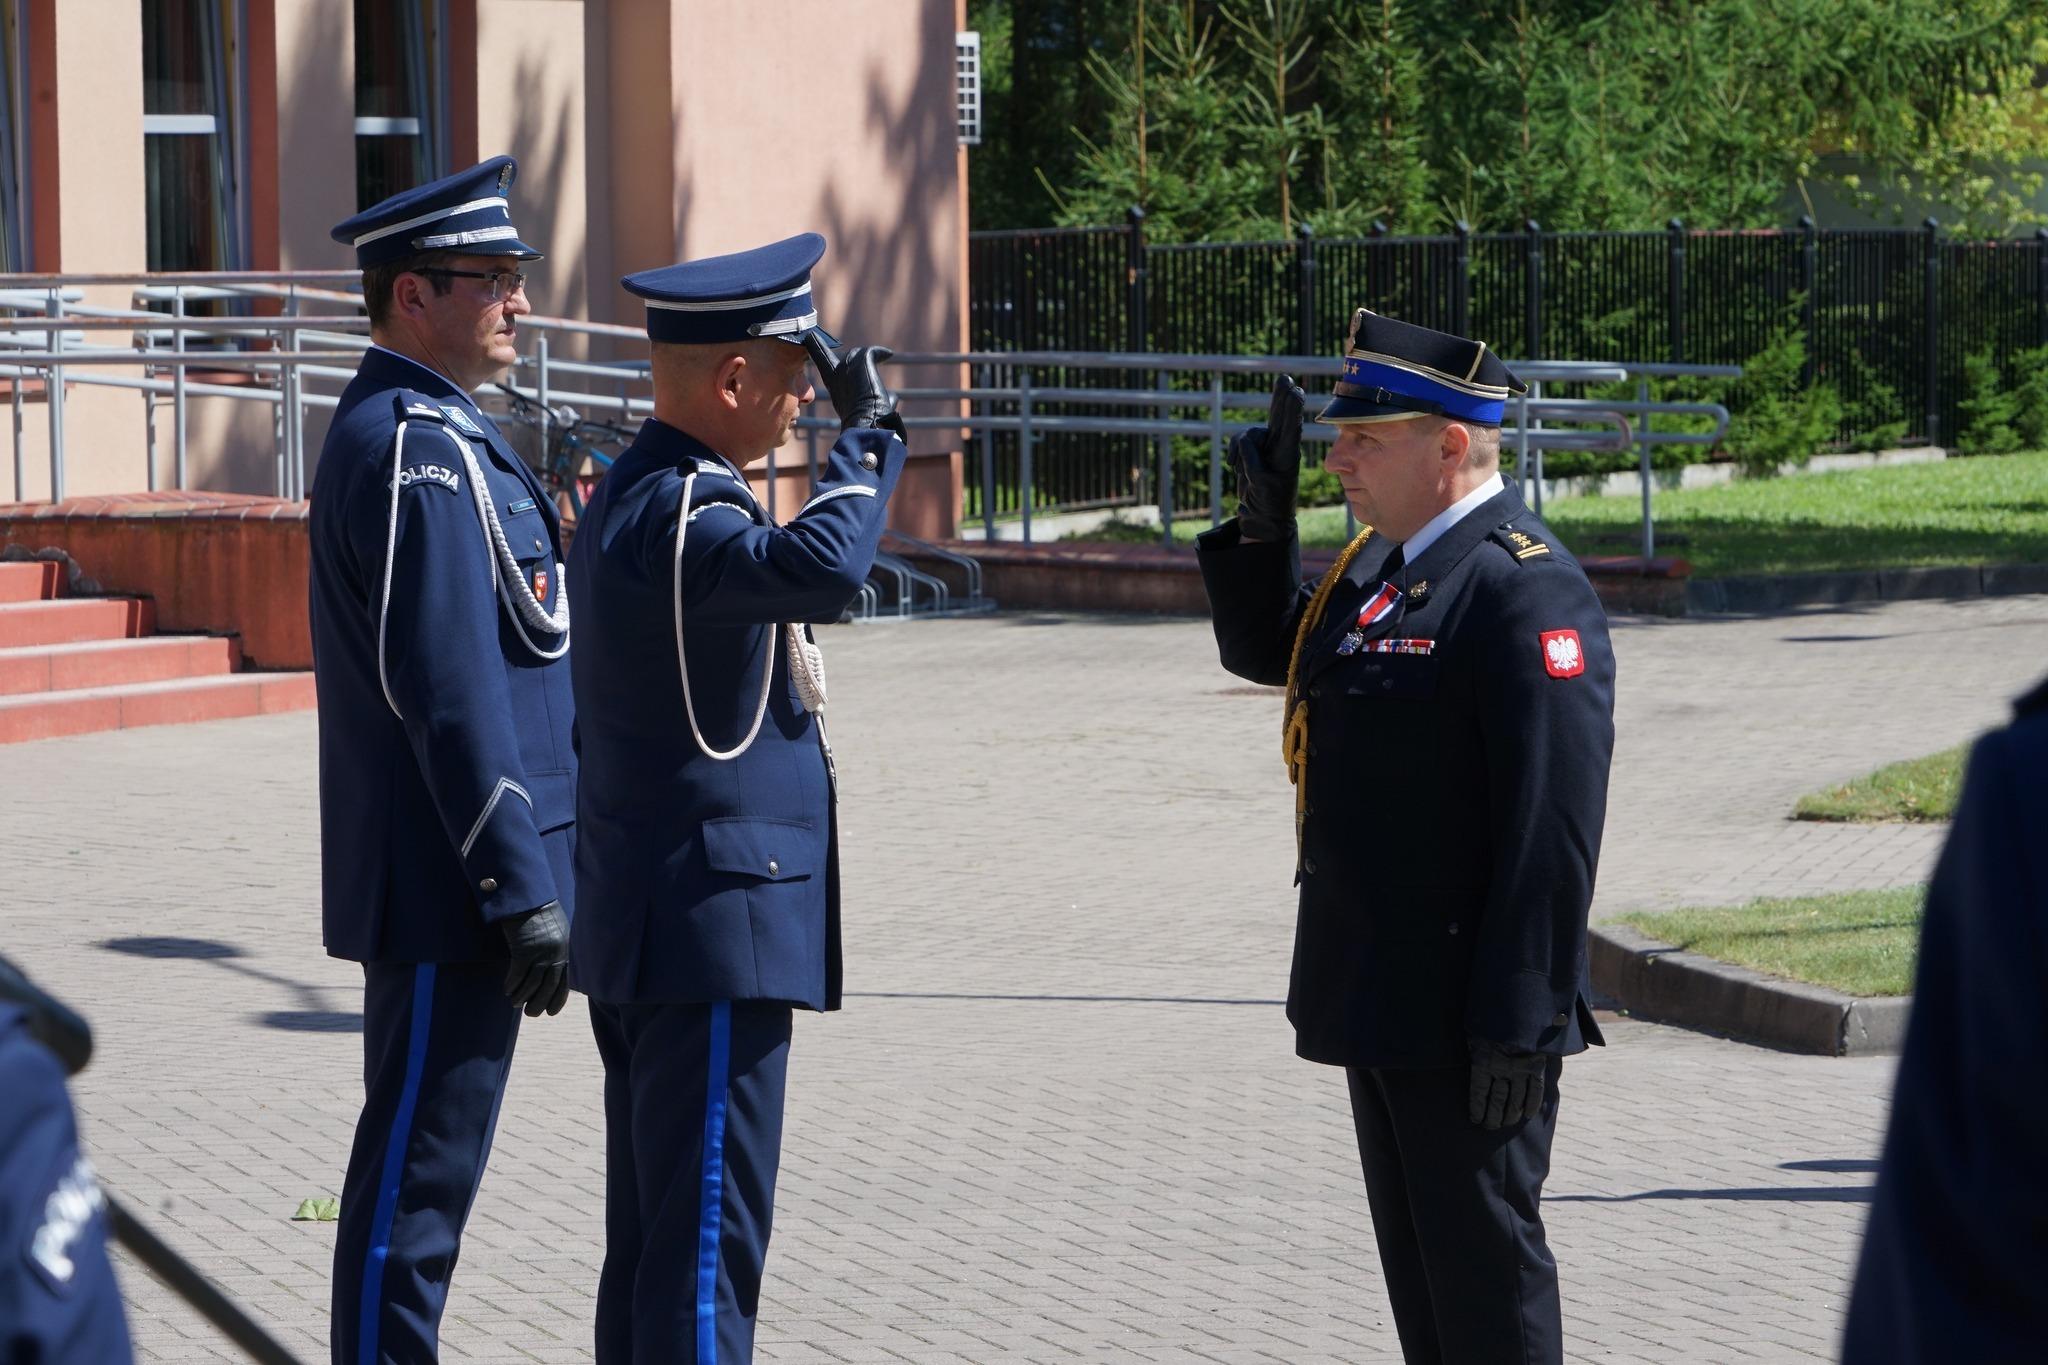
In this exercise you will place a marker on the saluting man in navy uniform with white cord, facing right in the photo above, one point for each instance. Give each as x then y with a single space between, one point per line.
708 861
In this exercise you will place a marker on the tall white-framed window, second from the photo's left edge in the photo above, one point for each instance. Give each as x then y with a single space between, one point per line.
191 101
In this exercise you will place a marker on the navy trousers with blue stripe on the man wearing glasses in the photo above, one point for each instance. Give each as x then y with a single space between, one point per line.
437 1047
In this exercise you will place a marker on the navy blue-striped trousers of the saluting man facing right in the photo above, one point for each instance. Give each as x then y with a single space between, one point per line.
693 1137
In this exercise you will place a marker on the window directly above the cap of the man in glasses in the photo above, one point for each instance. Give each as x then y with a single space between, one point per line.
400 126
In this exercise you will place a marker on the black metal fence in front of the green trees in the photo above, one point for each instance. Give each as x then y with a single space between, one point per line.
1887 316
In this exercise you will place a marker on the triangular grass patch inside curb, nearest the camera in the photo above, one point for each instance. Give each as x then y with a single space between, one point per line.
1859 942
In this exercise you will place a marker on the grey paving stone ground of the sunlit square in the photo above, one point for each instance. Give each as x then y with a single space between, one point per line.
1060 1118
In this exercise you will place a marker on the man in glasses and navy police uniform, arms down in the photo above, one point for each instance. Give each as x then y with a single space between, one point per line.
447 773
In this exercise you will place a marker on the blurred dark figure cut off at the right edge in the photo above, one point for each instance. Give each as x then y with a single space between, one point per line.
1957 1247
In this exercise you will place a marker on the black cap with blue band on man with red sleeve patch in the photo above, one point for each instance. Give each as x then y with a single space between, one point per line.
1396 369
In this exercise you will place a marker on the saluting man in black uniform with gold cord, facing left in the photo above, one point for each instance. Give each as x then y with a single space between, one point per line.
1449 728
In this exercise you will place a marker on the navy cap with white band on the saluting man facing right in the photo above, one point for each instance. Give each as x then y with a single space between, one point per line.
761 294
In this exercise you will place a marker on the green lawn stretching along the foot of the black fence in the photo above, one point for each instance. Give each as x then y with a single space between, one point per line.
1981 511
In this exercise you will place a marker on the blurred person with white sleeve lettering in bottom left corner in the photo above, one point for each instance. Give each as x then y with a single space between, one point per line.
58 1296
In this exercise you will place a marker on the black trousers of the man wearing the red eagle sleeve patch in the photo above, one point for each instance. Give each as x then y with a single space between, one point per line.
1455 1213
